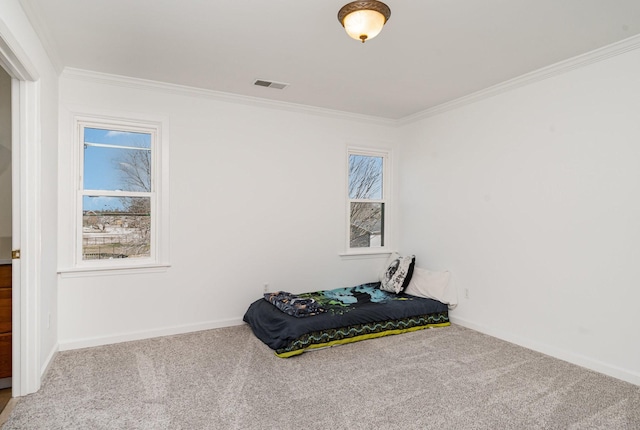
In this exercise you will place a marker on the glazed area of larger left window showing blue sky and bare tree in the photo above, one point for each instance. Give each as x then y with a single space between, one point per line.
117 193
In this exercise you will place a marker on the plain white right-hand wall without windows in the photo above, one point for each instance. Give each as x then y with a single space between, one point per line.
532 199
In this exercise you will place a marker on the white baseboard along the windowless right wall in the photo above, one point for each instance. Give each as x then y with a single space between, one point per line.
570 357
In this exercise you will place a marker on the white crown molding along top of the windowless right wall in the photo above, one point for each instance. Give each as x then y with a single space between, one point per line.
601 54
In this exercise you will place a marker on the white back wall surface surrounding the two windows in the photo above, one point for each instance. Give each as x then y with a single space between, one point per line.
257 195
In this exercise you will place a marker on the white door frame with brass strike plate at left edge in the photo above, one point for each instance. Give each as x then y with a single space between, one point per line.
26 195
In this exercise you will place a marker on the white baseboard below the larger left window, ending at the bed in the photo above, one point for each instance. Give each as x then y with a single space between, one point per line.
146 334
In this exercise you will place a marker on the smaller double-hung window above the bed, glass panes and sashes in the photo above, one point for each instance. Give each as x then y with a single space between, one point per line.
367 199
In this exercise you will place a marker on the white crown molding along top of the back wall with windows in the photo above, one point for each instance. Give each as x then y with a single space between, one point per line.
175 89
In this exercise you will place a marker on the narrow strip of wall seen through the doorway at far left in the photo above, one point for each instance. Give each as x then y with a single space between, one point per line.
5 165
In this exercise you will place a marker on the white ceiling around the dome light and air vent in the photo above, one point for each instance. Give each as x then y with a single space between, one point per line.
430 51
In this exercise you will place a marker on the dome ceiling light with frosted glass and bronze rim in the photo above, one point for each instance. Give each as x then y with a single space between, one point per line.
363 20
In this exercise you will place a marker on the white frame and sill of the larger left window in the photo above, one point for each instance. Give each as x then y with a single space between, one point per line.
159 195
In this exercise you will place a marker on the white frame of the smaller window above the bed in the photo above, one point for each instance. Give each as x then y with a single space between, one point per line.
386 200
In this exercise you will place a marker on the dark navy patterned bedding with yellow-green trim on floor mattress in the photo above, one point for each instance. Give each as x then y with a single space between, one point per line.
350 314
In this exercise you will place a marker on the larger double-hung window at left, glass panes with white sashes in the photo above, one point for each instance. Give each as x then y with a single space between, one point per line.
118 194
